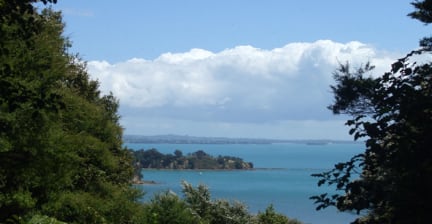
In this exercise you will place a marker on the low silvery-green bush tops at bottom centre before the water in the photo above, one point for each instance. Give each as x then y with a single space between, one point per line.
197 206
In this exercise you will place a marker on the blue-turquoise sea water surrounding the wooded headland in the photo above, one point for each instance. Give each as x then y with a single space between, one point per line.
288 186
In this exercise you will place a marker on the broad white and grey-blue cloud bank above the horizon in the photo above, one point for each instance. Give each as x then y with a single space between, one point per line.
239 88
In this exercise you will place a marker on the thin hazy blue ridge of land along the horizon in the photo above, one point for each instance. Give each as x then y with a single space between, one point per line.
186 139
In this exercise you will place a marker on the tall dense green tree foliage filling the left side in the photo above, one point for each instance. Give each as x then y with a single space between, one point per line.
61 155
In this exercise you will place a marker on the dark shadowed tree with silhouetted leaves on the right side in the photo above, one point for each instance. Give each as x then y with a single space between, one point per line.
390 181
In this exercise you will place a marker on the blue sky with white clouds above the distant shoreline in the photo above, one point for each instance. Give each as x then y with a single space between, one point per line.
234 68
